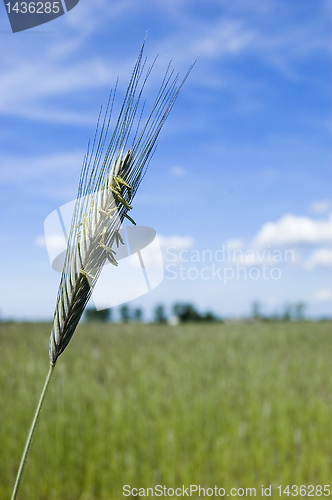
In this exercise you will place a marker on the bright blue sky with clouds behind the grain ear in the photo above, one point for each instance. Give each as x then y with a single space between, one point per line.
244 159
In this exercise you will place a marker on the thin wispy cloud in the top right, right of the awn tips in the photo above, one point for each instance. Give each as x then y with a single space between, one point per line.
280 44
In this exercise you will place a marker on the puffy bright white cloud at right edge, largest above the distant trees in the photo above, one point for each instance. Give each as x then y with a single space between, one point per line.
292 229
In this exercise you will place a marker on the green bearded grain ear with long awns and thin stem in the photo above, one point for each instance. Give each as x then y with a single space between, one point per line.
107 185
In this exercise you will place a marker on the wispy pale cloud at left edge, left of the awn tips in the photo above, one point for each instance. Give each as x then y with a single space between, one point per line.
24 87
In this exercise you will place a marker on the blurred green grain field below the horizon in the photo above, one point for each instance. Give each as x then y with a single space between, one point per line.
233 405
